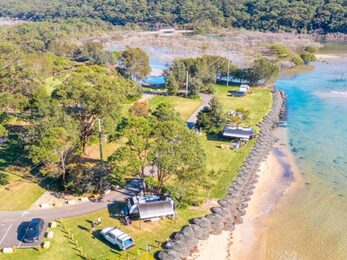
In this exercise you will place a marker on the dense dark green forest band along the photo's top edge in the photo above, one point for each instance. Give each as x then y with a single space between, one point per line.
322 16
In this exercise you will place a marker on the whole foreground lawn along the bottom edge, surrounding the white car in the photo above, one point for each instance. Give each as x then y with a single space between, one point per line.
93 247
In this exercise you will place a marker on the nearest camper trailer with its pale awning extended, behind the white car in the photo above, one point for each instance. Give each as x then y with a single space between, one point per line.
149 207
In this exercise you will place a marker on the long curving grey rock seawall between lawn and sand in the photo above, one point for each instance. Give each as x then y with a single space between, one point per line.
233 206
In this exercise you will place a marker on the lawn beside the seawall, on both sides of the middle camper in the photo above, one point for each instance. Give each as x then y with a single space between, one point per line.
227 162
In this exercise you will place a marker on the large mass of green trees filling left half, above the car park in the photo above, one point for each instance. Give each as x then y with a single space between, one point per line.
54 93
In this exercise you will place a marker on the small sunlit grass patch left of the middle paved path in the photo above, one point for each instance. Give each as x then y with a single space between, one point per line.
184 106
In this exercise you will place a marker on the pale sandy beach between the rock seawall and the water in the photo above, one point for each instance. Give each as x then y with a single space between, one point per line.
277 173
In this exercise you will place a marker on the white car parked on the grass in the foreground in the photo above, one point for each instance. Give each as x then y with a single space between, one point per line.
117 238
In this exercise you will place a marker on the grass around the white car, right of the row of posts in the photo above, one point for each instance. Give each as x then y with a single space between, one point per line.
145 233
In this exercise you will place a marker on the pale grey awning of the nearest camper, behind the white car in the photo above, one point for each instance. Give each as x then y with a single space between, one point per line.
156 209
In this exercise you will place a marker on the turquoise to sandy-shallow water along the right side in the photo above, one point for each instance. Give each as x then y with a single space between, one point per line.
311 221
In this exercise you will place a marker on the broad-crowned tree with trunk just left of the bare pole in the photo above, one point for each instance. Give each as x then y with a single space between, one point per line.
92 93
